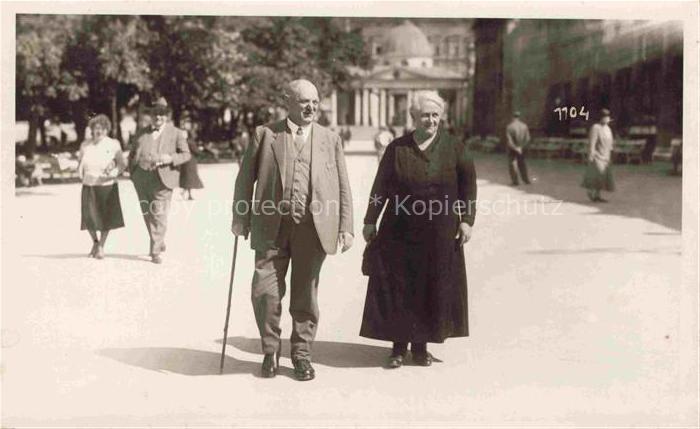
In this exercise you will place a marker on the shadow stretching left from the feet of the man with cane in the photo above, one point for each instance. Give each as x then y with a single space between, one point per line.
179 361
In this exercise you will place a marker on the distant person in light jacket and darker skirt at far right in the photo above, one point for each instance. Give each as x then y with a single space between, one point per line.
598 175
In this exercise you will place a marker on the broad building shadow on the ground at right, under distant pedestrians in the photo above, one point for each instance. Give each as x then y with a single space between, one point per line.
645 191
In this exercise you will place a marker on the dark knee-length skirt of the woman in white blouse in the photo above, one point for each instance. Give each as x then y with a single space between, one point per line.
101 208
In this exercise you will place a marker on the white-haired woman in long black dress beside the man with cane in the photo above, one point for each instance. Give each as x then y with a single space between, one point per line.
417 291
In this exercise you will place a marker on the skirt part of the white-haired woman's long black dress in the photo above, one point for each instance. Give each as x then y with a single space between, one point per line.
417 290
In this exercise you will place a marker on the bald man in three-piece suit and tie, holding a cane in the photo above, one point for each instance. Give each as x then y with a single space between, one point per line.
301 211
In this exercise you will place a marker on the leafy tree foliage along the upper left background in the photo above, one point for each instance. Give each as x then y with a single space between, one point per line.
86 64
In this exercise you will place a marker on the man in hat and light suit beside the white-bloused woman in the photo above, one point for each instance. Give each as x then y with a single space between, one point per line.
154 160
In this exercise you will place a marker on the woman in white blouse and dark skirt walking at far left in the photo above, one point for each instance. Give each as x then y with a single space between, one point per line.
101 162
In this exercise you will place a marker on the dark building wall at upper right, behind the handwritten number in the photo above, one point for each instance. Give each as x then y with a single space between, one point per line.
634 68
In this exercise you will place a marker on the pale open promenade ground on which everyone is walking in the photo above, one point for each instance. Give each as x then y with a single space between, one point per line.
574 313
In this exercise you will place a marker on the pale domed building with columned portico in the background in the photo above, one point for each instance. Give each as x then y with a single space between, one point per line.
406 59
